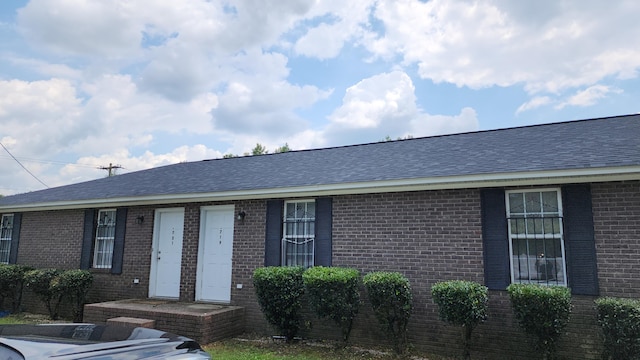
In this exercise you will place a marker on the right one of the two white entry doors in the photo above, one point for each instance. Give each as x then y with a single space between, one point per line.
213 281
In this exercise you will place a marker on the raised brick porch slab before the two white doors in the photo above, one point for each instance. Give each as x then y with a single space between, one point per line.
202 322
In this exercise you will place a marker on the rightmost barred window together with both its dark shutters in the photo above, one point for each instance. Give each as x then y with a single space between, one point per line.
542 236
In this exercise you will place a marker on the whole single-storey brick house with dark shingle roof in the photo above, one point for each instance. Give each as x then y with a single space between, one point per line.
553 204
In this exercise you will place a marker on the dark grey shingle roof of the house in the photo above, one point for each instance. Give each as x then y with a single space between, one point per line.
585 144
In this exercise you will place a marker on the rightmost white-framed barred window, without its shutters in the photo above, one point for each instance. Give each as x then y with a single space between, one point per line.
535 236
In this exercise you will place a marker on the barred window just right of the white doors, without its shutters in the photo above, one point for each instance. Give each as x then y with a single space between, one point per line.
298 233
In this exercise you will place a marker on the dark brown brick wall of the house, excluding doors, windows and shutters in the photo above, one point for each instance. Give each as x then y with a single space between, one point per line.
429 236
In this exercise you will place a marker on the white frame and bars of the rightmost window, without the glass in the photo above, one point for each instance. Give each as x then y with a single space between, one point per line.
528 266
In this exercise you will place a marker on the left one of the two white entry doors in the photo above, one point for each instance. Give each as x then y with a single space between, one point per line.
166 260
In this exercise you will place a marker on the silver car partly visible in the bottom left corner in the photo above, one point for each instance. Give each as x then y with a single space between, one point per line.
89 341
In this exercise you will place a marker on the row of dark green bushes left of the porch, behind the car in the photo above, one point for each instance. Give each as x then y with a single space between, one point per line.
51 286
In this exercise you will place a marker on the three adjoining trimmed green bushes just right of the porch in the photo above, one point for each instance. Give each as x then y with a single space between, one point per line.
332 293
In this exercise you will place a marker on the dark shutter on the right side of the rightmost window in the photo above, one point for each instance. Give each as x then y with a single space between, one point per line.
582 270
